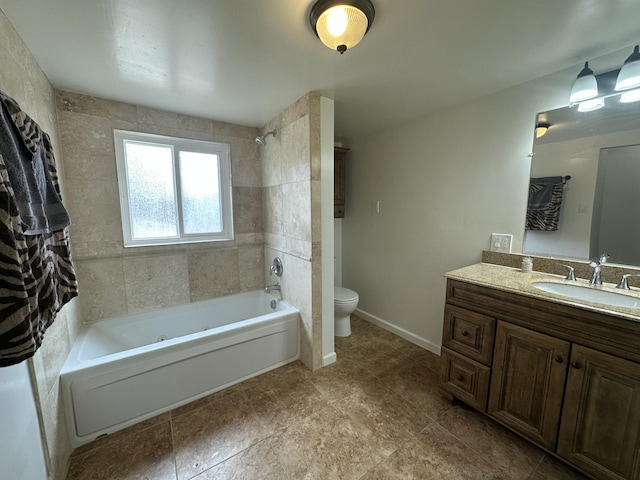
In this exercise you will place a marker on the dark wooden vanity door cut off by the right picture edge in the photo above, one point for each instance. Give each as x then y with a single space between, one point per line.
600 431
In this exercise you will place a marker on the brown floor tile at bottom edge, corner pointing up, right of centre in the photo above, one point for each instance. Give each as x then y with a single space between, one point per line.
435 454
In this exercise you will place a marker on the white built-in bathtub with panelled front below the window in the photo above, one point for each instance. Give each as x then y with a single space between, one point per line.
123 370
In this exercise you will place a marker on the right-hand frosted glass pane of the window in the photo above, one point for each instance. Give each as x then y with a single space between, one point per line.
200 190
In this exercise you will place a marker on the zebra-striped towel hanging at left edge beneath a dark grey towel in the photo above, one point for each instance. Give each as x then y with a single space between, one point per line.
36 271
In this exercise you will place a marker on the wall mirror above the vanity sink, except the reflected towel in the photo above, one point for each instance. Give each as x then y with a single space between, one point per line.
600 209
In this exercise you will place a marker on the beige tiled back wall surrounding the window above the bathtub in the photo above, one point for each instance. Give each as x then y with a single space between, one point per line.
115 280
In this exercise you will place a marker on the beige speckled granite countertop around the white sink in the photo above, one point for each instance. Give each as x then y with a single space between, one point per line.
513 280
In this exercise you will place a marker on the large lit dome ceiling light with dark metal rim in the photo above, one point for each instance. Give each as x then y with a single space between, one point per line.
340 25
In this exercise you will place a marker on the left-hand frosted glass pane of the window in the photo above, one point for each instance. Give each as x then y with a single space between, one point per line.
152 204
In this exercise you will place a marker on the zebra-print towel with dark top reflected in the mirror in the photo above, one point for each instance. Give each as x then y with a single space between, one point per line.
545 199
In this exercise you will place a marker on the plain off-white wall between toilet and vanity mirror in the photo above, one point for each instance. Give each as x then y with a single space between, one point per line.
445 182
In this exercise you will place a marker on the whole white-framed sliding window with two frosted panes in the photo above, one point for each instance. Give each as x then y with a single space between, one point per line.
173 190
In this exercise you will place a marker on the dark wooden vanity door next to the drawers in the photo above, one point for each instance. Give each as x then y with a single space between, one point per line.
528 374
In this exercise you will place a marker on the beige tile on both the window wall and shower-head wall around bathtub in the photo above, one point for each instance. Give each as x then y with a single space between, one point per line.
275 199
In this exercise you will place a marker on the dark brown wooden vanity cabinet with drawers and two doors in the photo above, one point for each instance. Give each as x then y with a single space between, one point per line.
565 378
